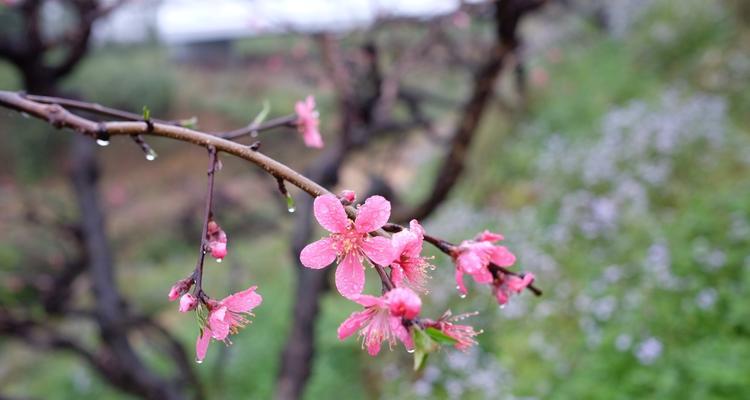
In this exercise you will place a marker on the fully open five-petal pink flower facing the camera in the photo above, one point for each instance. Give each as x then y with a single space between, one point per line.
349 242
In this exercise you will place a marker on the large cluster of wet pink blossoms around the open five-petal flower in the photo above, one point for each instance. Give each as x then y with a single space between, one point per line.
394 316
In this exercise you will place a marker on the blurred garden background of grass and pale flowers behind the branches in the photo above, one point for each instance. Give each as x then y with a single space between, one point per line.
618 174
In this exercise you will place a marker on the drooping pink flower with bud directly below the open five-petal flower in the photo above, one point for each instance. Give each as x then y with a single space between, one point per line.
382 319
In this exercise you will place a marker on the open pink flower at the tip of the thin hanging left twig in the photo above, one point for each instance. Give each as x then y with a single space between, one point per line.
226 317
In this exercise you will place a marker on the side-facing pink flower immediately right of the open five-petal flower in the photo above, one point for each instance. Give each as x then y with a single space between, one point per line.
409 267
